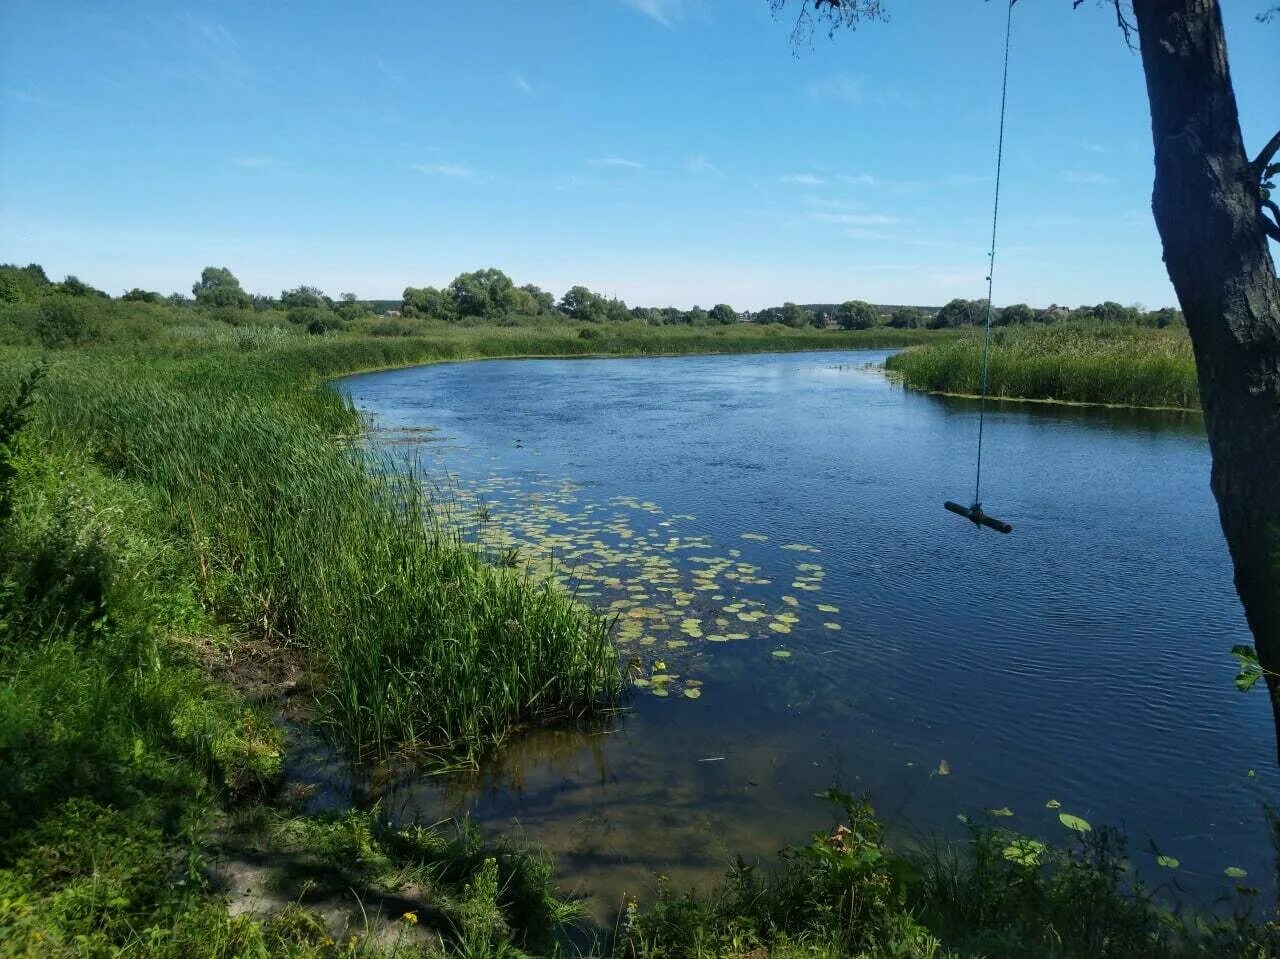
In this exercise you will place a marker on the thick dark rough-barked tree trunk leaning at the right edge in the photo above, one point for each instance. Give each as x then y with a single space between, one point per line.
1206 207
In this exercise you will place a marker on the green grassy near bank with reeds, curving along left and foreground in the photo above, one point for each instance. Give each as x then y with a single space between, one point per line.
191 544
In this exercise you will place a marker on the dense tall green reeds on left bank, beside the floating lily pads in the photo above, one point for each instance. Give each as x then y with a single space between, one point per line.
415 640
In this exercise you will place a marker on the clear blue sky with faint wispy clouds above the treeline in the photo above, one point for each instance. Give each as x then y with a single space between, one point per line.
666 152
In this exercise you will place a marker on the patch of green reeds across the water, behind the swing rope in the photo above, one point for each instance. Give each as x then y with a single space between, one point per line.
1067 363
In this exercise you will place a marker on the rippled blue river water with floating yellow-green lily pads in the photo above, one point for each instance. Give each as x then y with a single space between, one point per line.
769 533
